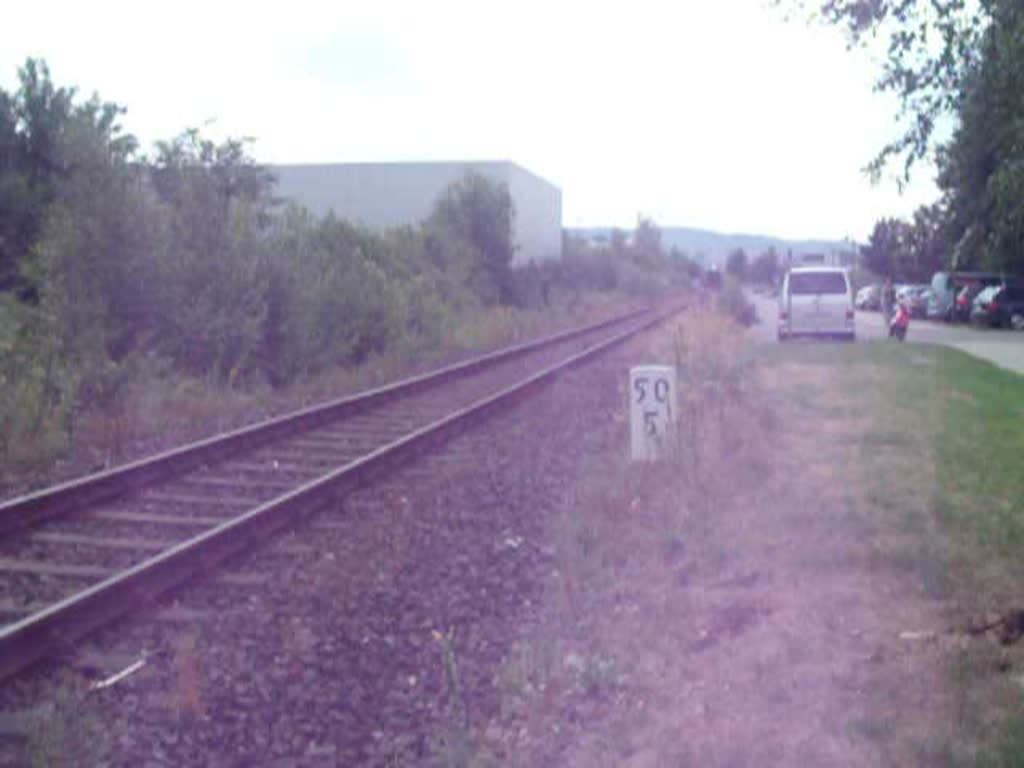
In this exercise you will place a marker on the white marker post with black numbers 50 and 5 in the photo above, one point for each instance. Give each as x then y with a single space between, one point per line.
653 411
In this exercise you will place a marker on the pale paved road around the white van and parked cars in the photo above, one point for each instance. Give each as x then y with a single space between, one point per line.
1005 349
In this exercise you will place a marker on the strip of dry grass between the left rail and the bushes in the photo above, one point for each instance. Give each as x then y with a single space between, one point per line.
164 408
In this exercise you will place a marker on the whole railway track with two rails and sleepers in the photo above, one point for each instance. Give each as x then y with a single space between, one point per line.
76 557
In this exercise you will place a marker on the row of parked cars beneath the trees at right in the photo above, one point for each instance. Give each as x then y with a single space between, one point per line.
984 298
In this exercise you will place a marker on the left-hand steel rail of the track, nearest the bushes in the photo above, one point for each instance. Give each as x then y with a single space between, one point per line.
68 497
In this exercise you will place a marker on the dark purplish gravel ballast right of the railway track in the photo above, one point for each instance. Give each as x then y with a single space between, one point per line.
340 643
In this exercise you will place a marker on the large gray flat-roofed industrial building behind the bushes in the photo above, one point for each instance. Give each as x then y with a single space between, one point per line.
388 195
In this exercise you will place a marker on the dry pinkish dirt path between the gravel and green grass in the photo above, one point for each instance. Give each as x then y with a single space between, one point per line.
753 621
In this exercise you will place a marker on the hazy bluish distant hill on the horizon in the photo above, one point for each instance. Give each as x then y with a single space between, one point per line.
713 248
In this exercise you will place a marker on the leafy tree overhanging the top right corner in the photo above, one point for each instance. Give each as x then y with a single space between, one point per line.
951 60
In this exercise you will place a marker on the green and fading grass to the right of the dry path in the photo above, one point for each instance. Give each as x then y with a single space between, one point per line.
945 460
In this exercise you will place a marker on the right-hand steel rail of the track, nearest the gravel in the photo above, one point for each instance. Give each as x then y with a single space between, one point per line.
55 628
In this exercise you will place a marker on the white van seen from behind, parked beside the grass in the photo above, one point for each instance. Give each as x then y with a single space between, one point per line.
817 302
